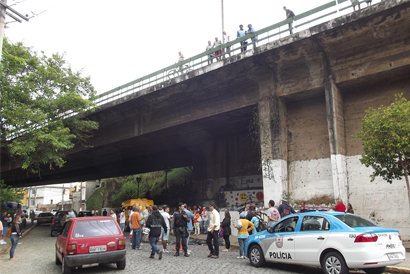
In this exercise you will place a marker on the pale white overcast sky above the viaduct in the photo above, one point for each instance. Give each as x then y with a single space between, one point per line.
115 42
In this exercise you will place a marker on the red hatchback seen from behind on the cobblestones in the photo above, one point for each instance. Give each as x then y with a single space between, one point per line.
90 240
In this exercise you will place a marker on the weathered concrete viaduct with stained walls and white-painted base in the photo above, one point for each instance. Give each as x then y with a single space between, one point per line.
308 91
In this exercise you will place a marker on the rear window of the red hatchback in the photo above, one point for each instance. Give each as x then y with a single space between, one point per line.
95 228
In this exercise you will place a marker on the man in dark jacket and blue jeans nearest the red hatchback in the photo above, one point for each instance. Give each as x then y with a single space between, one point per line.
154 223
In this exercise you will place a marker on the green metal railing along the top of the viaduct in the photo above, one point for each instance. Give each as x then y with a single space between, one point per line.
166 74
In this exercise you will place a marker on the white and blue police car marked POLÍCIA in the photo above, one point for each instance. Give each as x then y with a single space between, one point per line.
333 240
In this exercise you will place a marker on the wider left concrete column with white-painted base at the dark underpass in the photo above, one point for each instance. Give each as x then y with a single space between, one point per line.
273 134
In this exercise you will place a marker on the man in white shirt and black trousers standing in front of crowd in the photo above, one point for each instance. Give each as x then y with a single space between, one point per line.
213 232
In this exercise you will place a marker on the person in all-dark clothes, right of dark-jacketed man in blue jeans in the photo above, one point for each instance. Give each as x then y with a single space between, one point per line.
179 229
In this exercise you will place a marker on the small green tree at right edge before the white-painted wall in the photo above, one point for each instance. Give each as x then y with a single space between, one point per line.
386 141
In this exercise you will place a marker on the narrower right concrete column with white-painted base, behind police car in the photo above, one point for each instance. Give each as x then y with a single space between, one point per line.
336 129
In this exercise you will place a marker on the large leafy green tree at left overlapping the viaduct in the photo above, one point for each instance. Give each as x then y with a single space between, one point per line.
43 107
